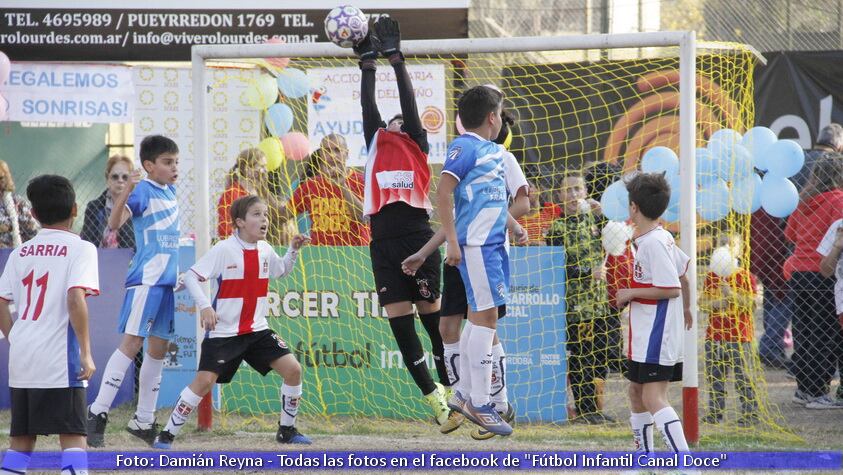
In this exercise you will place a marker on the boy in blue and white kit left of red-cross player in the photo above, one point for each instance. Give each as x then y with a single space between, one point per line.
148 307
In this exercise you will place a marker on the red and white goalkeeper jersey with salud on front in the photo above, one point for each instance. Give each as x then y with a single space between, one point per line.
396 170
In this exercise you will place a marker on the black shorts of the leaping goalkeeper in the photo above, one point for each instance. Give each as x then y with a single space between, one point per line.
392 284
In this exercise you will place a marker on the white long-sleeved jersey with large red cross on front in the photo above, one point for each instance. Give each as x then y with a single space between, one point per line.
242 271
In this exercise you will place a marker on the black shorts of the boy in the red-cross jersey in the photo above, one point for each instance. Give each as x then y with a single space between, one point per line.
224 355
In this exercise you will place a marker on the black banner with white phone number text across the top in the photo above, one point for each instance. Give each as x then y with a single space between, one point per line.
117 32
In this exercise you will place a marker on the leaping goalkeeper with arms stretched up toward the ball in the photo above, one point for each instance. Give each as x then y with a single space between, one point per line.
397 182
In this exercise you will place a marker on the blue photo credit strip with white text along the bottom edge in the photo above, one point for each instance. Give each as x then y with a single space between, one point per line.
426 460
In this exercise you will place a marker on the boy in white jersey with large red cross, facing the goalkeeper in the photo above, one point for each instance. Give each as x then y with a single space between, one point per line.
236 322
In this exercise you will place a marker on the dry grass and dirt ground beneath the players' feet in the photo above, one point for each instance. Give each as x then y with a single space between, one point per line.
796 428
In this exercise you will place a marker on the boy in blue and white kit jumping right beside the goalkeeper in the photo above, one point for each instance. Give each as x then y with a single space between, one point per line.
474 174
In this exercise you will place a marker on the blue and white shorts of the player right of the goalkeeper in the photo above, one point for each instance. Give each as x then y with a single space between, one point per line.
485 274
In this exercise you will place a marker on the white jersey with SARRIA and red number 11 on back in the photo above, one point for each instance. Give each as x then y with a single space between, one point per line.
44 352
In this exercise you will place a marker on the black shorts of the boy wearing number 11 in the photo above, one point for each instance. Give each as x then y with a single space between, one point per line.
37 411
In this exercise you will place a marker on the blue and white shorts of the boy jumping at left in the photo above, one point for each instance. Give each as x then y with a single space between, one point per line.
148 311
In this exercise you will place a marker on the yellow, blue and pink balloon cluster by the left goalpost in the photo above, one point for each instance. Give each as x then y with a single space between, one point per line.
263 94
